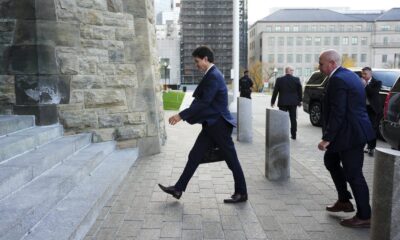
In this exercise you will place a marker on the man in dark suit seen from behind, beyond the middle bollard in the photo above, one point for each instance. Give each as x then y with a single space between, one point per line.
290 96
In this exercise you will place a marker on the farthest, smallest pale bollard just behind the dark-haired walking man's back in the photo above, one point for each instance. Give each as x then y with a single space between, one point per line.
244 121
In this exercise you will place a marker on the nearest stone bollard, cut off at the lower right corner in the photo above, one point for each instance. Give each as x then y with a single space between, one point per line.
385 223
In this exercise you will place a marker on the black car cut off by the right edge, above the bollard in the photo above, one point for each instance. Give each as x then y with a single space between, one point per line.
390 125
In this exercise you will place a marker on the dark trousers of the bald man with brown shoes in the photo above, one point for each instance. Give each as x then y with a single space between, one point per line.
346 166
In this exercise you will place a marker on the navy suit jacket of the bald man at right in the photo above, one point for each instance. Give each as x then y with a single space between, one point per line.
345 119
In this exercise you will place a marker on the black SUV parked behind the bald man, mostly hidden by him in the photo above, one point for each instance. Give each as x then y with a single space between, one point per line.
315 86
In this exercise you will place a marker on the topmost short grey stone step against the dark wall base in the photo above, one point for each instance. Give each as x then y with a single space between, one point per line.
13 123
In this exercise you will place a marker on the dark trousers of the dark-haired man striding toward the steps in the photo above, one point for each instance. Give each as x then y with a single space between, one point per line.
219 134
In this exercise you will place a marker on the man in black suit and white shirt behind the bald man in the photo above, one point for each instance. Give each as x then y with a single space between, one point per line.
374 104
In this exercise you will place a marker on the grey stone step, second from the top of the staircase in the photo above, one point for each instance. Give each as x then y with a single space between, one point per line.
23 141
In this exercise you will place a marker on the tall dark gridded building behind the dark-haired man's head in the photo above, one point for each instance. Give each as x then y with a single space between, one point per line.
206 22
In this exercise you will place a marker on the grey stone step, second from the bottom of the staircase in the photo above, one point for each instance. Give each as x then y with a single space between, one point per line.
23 209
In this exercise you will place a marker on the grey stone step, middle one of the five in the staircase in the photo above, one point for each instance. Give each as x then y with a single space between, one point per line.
23 169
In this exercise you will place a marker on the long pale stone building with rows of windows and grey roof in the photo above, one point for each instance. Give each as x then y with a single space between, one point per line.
297 36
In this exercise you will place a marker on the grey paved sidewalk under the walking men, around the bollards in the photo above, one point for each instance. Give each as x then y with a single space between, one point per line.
275 210
